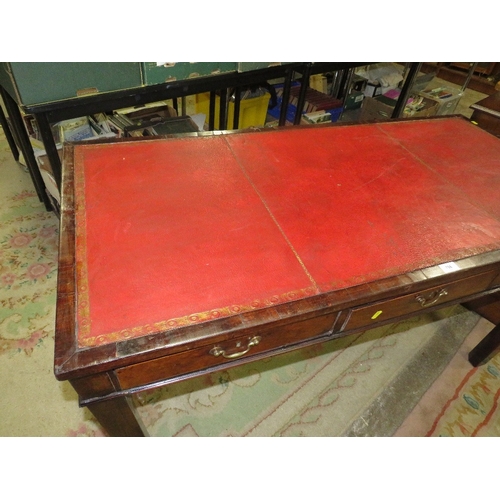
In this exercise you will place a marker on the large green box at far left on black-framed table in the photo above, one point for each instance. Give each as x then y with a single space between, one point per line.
42 82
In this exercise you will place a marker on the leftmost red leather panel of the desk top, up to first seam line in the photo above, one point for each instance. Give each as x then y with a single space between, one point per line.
173 229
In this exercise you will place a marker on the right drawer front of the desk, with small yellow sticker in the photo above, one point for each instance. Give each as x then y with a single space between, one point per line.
376 312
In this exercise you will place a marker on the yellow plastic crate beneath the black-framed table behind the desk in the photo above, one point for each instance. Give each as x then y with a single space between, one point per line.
253 111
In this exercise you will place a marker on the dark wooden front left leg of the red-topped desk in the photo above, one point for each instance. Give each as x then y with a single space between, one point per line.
119 417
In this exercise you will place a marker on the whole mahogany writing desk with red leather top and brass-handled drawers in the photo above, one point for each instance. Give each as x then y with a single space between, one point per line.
185 255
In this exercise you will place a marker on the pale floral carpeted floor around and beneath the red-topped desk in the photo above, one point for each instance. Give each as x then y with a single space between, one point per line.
360 385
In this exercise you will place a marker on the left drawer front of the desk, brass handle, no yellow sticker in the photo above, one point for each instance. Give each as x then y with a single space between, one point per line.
223 352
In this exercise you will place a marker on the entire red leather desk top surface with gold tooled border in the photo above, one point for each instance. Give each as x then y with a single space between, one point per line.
180 231
